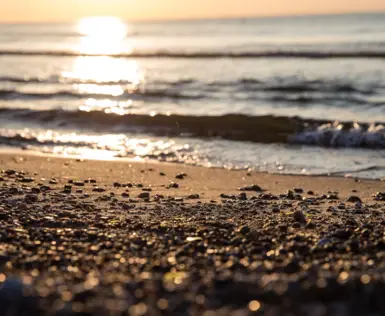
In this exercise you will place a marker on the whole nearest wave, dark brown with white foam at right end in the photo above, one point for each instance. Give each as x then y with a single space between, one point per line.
236 127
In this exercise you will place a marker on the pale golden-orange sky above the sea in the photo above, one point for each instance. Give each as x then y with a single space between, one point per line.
67 10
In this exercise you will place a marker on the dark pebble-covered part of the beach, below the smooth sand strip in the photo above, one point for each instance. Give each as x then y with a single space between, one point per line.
94 255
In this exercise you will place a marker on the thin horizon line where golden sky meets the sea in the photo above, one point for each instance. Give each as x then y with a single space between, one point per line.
165 20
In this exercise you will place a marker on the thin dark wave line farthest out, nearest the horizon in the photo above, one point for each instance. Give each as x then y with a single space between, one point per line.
374 54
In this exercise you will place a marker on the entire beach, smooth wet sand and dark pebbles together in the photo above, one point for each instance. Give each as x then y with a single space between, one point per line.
133 238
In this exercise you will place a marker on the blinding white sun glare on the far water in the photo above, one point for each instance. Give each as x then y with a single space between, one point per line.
104 77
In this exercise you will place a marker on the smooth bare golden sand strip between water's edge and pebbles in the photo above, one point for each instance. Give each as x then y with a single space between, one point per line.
201 178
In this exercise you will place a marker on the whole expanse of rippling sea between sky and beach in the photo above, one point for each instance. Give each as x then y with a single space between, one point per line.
301 95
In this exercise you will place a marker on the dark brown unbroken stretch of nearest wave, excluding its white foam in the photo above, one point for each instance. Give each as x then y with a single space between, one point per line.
266 129
